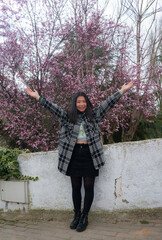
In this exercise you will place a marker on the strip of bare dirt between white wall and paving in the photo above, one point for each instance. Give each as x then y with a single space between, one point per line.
138 215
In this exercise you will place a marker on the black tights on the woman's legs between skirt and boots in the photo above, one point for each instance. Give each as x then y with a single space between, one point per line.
76 192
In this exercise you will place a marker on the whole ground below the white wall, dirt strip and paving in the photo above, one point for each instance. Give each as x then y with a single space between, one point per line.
40 225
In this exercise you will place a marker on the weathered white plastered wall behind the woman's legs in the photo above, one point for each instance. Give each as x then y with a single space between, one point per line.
131 178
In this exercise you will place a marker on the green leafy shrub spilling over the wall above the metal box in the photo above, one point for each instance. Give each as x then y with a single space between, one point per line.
9 166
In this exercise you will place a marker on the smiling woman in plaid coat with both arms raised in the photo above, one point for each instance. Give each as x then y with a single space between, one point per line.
80 148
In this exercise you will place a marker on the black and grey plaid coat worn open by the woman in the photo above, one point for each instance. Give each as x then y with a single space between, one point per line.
69 131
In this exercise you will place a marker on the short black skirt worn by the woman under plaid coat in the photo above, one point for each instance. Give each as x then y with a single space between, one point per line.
81 163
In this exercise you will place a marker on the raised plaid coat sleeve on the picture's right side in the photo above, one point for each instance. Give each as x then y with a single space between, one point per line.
100 111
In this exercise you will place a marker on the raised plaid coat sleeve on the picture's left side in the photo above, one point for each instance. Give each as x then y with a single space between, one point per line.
53 108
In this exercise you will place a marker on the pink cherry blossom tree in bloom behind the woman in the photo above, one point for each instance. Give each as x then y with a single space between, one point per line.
44 48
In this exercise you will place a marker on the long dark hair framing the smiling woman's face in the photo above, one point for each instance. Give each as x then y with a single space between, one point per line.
73 112
